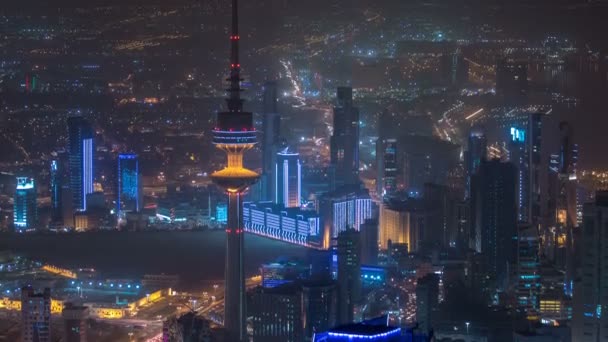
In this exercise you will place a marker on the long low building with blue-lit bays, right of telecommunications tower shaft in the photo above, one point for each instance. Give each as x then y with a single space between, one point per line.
293 225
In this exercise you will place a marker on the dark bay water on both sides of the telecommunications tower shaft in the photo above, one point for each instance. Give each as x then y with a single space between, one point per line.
195 256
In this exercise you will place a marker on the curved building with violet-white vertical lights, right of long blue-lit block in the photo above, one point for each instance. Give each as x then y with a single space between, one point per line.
344 208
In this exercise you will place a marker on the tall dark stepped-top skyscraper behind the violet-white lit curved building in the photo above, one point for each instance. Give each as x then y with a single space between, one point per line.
345 139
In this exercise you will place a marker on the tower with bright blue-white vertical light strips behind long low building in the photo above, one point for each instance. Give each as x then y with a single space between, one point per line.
288 179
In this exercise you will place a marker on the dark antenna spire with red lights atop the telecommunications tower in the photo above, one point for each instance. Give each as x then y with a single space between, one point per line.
235 103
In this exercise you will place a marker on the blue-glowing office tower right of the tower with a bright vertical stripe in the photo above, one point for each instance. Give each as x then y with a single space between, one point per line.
129 184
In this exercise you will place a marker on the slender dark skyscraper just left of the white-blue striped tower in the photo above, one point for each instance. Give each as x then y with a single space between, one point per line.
271 125
